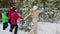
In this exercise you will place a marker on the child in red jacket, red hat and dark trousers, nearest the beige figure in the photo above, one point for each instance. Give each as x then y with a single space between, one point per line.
14 17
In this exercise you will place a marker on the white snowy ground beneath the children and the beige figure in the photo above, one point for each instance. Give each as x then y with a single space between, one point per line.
43 28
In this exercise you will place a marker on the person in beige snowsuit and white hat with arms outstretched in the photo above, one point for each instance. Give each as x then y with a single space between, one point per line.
34 13
